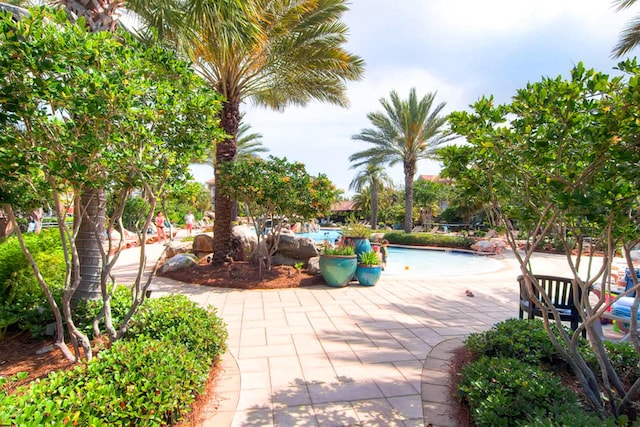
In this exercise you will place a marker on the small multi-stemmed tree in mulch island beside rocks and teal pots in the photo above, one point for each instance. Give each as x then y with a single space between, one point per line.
273 190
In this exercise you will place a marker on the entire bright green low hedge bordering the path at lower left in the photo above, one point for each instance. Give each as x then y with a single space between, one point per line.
150 379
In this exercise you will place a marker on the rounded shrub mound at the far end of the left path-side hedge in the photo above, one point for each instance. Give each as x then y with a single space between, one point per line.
178 318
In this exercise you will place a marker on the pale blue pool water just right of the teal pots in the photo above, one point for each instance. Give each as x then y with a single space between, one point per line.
436 263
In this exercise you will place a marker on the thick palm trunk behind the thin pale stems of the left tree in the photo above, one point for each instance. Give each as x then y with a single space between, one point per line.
91 213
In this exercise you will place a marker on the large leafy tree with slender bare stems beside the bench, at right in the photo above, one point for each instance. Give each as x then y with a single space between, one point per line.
561 162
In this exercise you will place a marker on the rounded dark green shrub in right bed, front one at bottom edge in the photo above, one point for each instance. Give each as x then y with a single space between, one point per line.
504 391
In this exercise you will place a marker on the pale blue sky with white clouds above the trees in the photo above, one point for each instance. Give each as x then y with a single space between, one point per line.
460 49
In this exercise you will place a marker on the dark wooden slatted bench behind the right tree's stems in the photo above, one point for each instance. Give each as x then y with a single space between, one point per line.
560 291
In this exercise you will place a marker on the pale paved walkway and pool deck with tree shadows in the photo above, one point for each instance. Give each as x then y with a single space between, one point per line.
353 356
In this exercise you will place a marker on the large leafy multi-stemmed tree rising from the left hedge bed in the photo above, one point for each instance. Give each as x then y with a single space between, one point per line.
85 110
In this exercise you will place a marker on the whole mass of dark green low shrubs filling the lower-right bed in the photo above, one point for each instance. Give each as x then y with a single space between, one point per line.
517 377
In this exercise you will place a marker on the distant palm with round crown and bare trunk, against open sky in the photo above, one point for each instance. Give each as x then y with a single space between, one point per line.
407 131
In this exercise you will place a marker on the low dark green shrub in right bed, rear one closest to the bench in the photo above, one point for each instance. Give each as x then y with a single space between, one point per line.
525 340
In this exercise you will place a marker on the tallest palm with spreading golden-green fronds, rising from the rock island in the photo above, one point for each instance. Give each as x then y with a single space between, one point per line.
283 53
